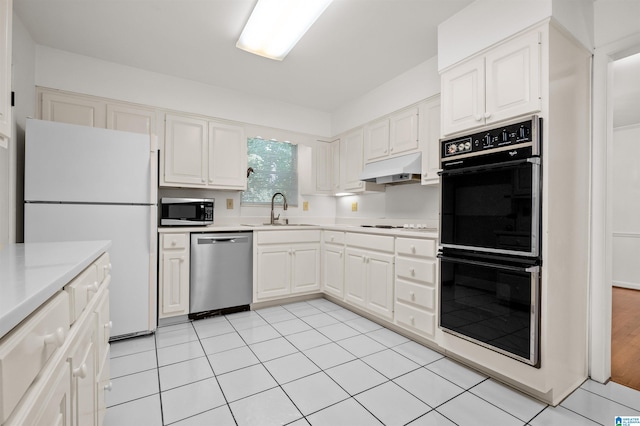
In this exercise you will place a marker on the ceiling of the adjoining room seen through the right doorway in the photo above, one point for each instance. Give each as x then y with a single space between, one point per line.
626 91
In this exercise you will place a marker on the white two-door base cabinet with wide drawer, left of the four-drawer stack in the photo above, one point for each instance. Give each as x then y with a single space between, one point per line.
369 265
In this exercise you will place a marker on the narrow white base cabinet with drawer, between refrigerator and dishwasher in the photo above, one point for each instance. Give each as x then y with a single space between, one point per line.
173 280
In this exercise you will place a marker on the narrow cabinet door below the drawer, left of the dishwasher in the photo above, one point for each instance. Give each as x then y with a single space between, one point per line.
174 292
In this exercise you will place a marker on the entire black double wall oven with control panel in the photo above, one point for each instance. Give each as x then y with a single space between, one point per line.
490 230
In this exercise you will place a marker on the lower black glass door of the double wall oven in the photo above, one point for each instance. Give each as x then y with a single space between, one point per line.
493 304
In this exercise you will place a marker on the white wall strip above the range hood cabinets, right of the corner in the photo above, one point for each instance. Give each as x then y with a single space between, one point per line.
416 84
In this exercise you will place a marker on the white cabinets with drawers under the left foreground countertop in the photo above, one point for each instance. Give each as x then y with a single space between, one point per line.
50 363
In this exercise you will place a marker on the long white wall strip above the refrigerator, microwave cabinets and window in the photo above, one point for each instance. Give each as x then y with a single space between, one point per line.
76 73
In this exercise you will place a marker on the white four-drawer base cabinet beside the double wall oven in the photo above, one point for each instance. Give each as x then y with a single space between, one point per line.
415 285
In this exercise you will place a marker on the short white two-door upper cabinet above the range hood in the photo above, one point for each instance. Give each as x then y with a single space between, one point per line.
393 135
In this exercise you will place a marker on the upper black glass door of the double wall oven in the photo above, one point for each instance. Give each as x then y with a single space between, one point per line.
492 208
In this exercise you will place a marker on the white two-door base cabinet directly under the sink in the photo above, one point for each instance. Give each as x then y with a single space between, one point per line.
287 263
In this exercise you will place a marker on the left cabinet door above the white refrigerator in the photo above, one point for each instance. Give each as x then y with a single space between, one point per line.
73 109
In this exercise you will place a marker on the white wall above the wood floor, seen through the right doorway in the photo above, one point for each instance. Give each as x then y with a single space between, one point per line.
626 206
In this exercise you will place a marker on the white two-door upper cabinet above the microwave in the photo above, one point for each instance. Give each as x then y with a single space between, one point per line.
203 154
